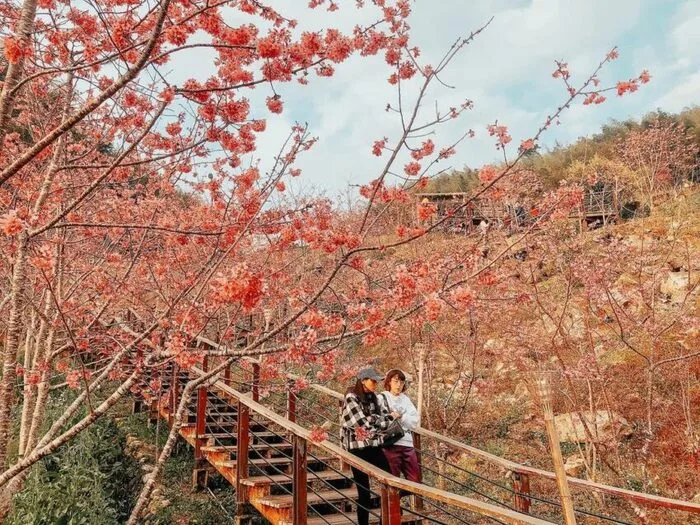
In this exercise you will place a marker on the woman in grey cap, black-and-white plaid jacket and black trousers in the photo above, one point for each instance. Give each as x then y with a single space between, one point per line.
364 418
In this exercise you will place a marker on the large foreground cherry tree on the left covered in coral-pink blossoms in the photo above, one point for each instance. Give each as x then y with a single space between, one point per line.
123 190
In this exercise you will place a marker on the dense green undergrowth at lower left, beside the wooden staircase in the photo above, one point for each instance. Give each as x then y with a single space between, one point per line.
93 480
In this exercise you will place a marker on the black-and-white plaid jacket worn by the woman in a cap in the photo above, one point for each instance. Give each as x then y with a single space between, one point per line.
372 418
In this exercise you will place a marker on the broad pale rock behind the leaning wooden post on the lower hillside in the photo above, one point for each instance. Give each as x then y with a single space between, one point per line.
601 425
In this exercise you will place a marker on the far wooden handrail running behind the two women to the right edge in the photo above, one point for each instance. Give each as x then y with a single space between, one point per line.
639 497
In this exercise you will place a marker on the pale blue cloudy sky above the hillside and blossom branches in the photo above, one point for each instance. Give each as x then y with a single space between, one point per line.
506 72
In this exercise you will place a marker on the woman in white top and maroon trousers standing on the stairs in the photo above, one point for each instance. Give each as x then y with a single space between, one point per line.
401 455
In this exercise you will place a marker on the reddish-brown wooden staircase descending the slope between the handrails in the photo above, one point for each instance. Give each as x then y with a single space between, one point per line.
257 456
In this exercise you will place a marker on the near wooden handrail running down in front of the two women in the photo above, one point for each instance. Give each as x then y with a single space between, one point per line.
377 474
